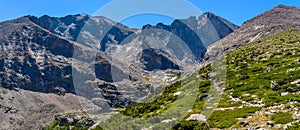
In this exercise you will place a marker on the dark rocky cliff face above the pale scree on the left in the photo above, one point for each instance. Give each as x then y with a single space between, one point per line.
35 59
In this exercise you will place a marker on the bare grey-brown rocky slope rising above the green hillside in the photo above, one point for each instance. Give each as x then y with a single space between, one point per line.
266 24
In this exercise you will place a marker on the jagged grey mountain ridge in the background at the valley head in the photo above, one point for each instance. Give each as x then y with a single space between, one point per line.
197 34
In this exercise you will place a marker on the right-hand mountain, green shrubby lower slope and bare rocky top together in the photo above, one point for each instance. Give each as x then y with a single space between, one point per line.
261 83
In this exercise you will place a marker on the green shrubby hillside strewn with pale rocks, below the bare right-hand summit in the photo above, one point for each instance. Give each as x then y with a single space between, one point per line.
249 99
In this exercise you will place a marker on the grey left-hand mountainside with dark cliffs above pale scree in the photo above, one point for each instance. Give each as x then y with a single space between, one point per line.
36 75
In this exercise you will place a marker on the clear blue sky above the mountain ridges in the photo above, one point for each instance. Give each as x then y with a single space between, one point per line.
236 11
